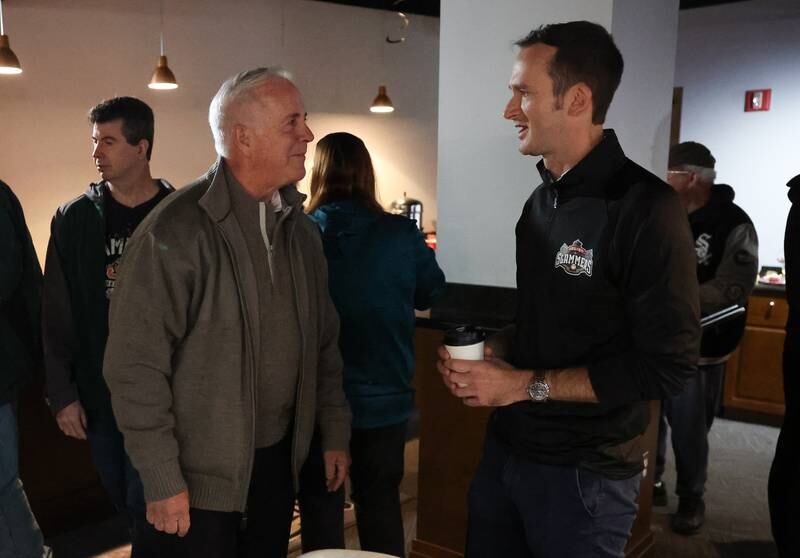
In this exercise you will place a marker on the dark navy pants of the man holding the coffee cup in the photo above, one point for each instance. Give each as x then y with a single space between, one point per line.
522 509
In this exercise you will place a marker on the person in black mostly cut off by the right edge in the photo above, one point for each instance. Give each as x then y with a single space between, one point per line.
784 479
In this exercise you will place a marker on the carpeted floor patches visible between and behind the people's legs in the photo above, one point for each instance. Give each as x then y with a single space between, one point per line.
737 524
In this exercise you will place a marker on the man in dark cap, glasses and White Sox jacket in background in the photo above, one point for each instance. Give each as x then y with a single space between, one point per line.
727 263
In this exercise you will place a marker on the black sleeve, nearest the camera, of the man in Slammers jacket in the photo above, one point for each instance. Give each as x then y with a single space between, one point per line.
662 305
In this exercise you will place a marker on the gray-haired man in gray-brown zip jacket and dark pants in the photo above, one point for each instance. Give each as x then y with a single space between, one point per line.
223 349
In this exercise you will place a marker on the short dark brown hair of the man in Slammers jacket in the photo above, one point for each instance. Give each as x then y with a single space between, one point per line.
586 53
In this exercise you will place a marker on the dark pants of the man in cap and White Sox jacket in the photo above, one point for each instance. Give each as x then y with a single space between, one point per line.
690 415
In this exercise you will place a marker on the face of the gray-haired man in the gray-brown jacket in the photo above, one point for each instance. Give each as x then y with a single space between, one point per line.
277 134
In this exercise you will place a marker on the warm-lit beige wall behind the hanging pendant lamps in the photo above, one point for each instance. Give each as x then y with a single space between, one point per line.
74 54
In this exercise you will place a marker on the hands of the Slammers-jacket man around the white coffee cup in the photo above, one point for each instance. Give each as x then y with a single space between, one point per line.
483 383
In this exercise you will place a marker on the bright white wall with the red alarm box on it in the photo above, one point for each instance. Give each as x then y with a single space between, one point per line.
722 52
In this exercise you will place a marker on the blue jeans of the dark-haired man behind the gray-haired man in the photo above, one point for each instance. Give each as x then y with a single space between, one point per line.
121 481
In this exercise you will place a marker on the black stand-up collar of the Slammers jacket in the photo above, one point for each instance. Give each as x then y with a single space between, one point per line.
593 172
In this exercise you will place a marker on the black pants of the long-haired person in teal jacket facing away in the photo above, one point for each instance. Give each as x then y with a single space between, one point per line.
375 476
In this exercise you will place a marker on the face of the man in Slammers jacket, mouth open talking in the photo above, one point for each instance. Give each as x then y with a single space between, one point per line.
537 114
